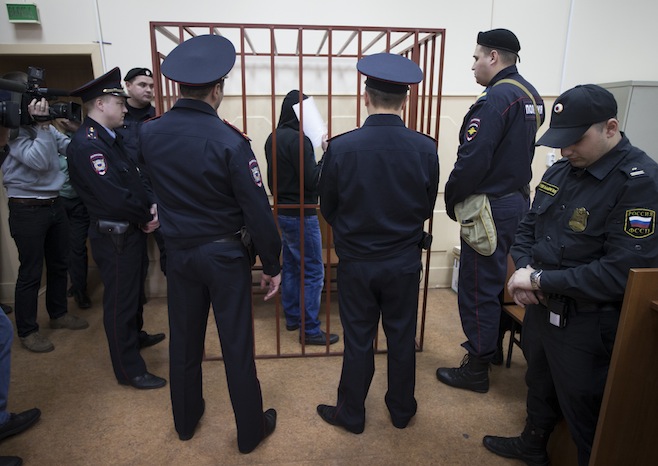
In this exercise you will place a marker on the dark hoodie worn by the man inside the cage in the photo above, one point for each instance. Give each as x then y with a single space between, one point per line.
287 161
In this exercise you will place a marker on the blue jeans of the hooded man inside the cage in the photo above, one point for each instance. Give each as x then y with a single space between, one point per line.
291 272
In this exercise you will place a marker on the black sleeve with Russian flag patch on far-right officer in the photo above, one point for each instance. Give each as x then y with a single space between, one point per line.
625 247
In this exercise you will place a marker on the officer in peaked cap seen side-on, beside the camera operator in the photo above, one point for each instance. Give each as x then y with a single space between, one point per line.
121 211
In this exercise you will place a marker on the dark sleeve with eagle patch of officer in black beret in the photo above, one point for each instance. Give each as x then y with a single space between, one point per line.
481 132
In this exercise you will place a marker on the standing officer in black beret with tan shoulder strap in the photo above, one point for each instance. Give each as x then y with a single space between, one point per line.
494 157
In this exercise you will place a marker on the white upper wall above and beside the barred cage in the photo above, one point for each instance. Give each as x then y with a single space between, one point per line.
564 42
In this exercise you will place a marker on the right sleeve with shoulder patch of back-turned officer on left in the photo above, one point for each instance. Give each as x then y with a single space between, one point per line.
247 182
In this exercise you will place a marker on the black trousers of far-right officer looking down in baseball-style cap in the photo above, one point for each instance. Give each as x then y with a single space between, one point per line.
567 371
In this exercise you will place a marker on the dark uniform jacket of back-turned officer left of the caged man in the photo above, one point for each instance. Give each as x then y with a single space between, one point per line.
207 181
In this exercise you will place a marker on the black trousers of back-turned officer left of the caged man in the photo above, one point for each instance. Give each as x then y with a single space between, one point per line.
217 274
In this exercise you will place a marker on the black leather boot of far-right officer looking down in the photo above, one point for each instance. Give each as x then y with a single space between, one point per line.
529 447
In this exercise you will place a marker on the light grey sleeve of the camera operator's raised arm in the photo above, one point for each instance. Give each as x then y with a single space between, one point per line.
39 152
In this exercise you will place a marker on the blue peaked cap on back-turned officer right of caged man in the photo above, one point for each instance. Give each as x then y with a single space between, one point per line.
389 72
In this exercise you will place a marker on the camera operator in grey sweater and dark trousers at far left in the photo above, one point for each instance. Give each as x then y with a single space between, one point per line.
37 221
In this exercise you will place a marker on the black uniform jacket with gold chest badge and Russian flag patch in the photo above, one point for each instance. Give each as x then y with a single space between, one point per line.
587 227
